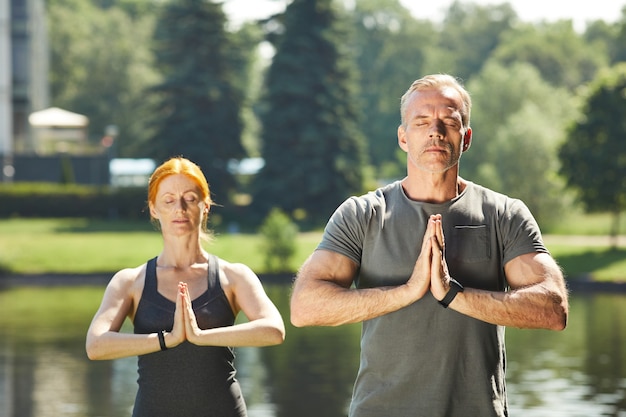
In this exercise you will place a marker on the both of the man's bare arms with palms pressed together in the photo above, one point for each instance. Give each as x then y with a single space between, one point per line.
323 293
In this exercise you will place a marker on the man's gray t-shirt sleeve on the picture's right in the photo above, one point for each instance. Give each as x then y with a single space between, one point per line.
520 231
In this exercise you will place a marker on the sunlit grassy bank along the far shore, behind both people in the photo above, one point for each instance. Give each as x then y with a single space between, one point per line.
87 246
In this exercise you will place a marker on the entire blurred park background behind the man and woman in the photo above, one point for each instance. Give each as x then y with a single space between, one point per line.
289 107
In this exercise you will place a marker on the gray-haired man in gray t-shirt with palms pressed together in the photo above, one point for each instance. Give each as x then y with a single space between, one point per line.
433 309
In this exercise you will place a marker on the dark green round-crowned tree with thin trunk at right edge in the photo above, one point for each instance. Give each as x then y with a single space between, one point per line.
594 156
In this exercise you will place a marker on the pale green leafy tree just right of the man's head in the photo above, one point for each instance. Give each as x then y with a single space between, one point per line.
517 128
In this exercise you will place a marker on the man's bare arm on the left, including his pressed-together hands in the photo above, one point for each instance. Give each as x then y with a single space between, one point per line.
323 293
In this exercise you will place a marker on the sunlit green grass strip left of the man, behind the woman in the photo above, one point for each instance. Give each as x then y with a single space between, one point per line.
85 246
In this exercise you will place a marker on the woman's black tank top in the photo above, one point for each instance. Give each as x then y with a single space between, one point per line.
188 380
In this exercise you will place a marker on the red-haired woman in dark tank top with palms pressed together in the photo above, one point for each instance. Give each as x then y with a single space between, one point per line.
183 304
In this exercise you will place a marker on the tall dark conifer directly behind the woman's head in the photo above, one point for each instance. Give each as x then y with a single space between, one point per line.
198 115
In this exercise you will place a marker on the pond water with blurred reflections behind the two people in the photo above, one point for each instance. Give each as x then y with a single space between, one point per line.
44 371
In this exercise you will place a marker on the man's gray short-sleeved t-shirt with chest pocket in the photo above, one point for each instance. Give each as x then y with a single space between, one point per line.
425 360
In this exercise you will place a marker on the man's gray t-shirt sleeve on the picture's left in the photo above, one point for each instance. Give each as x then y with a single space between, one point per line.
344 231
